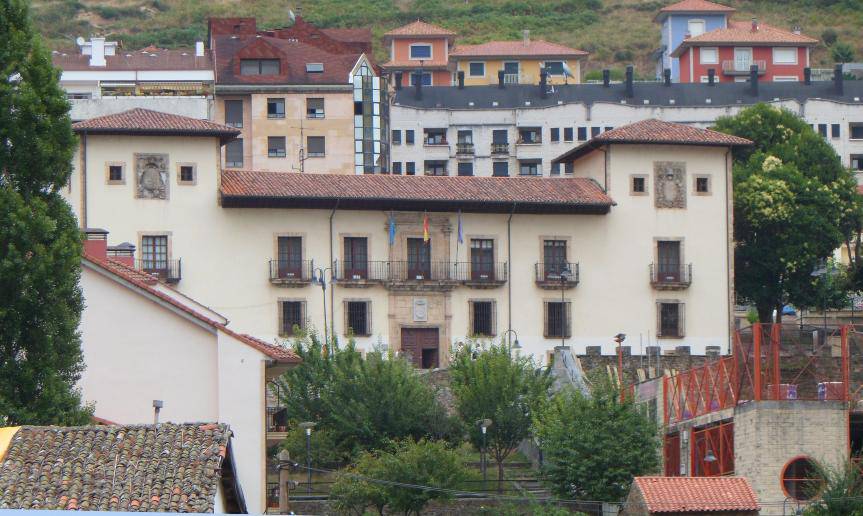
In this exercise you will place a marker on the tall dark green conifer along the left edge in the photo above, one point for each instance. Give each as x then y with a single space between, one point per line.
40 247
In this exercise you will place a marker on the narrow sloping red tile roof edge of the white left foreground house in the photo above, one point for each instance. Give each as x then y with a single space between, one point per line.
145 282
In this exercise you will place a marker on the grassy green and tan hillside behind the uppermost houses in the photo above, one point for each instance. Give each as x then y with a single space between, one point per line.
615 32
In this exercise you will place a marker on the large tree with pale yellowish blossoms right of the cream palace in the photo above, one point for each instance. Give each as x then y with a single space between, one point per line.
792 199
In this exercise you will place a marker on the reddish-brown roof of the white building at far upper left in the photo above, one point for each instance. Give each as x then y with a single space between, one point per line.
159 59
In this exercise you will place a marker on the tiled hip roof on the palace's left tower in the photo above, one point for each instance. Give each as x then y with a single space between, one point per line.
148 122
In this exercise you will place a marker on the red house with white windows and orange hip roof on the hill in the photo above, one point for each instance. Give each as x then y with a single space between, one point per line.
731 52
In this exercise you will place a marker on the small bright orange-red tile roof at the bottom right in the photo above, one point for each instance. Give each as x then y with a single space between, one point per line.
697 494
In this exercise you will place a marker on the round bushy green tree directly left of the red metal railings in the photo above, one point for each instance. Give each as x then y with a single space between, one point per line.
594 445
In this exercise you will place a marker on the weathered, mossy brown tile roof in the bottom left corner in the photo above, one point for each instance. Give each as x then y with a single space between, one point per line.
164 468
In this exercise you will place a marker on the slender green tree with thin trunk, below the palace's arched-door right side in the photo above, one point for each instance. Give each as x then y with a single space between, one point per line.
489 383
